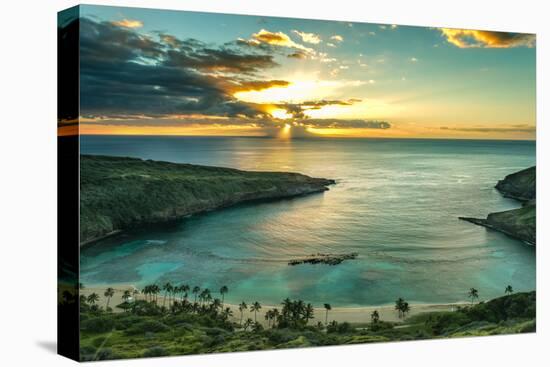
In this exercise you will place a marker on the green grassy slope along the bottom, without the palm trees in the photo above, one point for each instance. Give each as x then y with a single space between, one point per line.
129 336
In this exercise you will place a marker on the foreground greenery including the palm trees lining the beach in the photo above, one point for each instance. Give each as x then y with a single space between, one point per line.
147 328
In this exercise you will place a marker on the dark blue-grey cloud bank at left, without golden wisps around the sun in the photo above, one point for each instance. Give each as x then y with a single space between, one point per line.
124 72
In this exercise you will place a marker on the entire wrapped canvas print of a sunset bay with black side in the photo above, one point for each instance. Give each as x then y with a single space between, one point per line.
240 183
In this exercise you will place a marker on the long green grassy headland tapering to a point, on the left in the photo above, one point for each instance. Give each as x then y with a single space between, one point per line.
119 193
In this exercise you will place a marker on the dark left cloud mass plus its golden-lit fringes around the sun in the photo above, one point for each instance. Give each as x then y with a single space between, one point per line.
129 78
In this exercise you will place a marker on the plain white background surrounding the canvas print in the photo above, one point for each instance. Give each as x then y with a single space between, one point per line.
28 181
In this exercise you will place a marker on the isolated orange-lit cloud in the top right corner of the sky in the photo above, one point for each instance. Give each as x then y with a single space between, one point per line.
466 38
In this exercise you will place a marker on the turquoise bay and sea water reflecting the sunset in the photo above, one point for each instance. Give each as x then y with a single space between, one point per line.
396 203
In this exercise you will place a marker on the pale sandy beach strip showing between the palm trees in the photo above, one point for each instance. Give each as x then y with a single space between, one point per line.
340 314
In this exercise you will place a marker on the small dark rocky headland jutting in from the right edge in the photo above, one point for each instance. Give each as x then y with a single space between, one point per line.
518 223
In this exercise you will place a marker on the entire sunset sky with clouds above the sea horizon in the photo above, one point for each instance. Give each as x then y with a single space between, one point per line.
161 72
